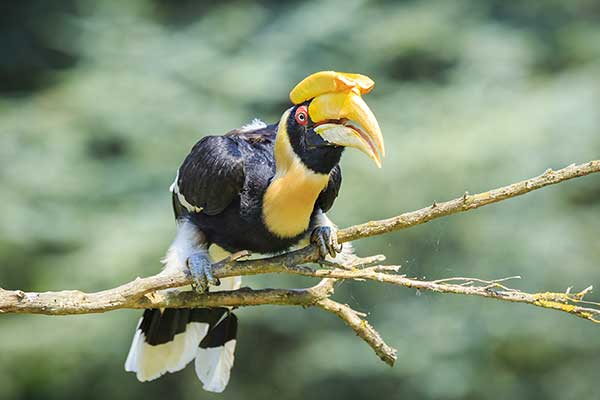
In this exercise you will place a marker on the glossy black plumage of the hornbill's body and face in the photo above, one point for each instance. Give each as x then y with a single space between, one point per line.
227 176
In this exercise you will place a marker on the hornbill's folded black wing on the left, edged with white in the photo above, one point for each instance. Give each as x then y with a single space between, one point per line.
211 176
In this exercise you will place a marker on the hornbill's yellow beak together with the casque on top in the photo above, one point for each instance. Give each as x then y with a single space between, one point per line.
339 113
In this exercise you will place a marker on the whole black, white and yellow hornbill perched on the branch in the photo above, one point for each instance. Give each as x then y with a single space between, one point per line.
261 188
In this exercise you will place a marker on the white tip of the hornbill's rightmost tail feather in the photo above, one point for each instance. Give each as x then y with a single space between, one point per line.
213 366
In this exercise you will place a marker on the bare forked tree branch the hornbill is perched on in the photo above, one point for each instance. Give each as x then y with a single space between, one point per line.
146 292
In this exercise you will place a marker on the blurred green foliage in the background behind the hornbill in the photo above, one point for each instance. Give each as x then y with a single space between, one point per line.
100 102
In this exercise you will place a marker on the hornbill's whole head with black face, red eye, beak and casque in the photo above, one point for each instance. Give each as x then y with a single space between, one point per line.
328 115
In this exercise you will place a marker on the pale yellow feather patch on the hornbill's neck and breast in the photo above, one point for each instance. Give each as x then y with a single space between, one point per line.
290 198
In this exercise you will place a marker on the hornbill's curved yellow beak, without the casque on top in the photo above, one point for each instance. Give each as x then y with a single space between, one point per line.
343 118
